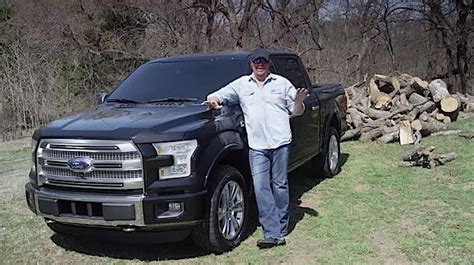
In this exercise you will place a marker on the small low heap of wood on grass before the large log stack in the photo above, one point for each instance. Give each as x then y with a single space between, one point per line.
424 157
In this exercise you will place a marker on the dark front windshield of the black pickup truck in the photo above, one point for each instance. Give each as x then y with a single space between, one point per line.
182 79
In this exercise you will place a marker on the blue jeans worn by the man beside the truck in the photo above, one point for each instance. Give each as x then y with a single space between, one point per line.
270 179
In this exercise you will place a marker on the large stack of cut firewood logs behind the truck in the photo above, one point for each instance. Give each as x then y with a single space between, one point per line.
401 108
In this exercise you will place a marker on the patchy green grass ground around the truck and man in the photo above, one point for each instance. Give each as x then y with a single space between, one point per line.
372 212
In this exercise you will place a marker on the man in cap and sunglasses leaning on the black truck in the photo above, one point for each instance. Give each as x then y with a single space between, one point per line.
267 101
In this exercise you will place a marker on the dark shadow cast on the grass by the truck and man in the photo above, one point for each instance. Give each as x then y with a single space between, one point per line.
301 180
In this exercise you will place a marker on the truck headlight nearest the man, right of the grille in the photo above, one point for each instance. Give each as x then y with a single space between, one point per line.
182 152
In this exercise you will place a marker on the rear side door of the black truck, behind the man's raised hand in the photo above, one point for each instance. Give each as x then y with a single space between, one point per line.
305 128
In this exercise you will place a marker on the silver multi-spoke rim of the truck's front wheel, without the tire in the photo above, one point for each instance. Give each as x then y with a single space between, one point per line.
230 213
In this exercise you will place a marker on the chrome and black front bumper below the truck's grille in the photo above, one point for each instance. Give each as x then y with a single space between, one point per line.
116 211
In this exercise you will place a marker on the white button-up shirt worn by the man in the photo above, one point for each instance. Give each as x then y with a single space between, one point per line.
266 109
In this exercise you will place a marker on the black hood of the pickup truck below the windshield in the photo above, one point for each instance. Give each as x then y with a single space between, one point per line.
129 121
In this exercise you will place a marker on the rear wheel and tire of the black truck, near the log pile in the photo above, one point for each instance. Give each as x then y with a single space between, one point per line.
328 162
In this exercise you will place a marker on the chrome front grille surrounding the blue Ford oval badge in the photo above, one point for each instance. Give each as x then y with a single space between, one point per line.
111 164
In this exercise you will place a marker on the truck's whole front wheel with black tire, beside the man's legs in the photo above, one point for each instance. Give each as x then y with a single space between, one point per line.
214 233
